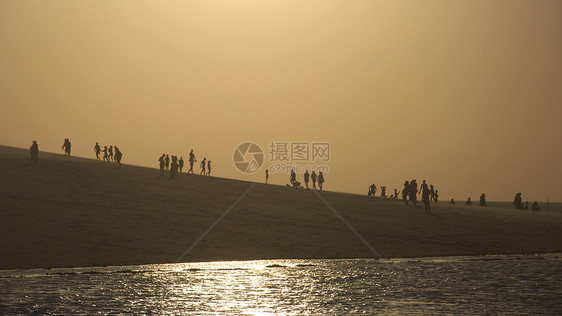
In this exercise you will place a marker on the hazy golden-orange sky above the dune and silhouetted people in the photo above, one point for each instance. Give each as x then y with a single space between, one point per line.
464 94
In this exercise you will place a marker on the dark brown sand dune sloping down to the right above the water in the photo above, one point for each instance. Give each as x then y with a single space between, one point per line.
68 211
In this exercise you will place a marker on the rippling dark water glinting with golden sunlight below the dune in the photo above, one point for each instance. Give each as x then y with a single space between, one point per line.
456 285
